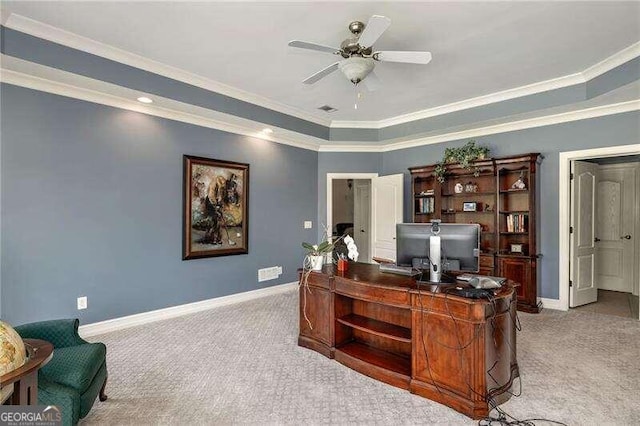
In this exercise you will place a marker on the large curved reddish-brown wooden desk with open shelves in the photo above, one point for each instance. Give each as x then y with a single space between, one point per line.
456 351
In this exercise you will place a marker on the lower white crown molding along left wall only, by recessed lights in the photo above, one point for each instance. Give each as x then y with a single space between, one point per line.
196 115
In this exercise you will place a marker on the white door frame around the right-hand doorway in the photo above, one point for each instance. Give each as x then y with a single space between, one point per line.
564 207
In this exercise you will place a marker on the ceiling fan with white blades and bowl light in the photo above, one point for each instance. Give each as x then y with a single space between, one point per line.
359 56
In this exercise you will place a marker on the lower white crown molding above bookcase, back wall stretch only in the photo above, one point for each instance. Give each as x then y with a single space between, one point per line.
547 120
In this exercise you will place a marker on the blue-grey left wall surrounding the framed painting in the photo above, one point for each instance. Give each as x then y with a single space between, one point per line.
91 206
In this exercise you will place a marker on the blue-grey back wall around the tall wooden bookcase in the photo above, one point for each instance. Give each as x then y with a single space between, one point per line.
621 129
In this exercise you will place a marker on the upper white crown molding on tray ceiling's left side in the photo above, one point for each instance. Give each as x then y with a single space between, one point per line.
85 44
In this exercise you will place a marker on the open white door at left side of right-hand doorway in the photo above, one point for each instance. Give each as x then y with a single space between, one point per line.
582 242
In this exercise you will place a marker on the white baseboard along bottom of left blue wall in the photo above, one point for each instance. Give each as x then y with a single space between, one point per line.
121 323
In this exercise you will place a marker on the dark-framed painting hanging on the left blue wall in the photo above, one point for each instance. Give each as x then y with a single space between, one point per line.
215 208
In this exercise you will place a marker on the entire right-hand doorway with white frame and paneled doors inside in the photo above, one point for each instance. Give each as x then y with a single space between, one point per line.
600 230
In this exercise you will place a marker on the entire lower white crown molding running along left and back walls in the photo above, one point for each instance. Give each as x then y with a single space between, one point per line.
84 88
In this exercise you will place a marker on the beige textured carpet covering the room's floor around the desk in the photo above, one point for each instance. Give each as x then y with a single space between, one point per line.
240 365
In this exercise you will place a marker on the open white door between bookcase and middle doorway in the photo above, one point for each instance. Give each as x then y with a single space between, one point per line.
387 203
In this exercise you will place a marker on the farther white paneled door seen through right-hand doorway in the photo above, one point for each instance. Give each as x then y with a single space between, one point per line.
615 250
